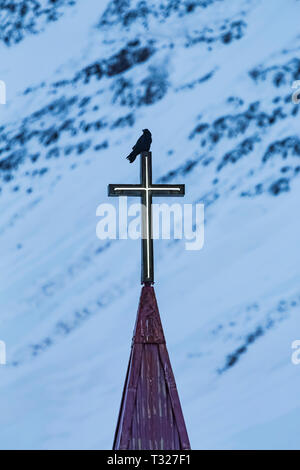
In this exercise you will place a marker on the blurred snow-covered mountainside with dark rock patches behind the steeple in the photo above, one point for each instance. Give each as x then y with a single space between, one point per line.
212 80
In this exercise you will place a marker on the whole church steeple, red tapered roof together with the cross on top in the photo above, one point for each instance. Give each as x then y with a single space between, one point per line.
150 416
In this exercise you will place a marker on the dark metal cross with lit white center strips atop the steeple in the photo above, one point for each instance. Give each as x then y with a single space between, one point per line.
145 190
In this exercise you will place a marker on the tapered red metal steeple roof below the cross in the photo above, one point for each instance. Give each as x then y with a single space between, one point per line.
150 415
